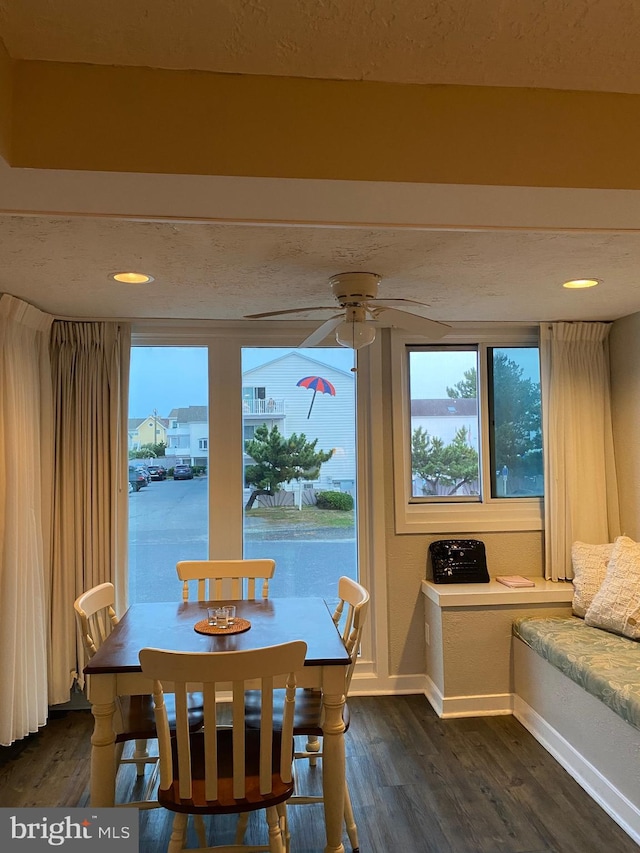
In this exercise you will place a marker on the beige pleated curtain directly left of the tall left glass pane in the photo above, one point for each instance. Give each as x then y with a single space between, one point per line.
90 365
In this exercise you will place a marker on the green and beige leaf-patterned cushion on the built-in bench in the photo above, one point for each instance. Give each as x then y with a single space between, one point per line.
603 664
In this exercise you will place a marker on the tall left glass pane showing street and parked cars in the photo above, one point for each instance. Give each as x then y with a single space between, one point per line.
168 518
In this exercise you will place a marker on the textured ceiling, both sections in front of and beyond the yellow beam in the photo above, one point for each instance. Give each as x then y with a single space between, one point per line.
223 271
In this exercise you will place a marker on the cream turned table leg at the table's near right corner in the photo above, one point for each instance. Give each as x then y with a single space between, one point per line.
333 770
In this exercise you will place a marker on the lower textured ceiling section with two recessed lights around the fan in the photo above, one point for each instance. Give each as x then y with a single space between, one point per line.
225 271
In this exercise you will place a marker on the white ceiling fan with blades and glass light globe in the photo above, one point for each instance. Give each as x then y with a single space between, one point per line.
361 311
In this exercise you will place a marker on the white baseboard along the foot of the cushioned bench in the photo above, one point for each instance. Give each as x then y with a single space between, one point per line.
614 803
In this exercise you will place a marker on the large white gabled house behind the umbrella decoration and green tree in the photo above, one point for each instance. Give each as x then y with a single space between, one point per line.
270 395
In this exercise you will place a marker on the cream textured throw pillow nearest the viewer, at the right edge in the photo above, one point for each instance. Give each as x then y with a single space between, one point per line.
616 605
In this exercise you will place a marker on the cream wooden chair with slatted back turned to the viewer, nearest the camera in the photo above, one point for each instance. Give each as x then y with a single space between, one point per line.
225 769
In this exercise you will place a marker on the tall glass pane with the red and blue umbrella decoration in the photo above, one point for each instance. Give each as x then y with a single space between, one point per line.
300 448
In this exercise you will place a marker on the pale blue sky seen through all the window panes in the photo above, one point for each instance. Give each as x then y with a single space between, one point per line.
164 378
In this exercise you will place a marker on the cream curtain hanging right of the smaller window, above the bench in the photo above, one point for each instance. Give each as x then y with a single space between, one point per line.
581 495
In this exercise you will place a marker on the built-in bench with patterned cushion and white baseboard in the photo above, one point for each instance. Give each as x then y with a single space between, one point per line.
577 690
